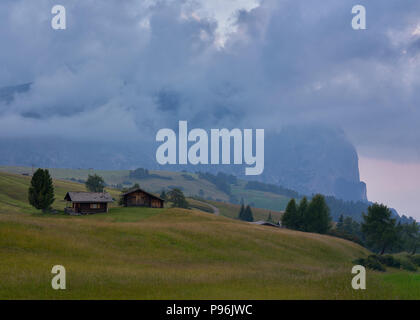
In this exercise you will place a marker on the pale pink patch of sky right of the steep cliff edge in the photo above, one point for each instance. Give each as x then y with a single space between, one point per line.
395 184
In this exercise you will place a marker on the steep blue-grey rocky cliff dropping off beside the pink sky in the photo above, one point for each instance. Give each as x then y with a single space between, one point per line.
314 159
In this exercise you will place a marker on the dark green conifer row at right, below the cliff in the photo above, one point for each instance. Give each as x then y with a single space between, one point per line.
379 231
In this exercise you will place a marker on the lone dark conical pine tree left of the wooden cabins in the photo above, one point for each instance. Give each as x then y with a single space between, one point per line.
41 190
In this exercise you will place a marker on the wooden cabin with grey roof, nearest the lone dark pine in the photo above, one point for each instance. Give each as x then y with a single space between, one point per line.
87 202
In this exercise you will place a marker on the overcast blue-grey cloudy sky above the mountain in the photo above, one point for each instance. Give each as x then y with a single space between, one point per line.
136 66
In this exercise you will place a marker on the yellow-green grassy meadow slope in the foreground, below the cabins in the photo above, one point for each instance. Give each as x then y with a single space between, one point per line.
142 253
